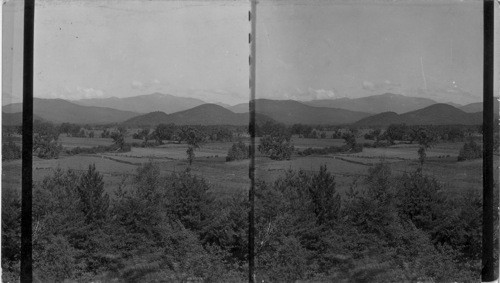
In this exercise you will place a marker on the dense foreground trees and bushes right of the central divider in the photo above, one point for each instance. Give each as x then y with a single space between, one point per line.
397 228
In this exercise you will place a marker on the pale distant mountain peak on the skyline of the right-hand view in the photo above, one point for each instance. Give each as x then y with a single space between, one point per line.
387 102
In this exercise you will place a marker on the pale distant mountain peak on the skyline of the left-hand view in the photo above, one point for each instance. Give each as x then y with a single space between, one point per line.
145 103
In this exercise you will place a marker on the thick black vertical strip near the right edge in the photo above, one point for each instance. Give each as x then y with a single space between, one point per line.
488 262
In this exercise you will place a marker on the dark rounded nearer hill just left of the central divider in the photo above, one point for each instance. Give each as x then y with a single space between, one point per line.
206 114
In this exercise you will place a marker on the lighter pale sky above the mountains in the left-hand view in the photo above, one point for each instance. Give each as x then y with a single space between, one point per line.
86 49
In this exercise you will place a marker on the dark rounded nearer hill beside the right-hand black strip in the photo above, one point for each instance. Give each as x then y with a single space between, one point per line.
437 114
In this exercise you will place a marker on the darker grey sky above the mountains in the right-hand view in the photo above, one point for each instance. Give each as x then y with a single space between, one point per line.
330 49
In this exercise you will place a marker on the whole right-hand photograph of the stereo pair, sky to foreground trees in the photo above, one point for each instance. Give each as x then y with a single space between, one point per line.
369 145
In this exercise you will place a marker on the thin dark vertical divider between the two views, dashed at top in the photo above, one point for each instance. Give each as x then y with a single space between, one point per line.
251 193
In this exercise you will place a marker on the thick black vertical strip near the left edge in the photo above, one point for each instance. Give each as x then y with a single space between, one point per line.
27 155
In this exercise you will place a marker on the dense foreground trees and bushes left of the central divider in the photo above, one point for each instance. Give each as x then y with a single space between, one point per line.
160 227
